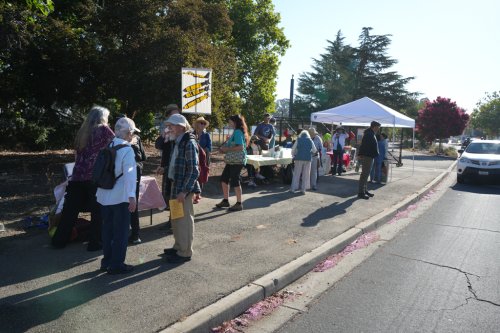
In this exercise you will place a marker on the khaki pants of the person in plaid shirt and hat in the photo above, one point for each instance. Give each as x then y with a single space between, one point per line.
183 229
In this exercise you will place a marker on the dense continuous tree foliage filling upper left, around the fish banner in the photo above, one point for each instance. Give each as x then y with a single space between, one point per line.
56 62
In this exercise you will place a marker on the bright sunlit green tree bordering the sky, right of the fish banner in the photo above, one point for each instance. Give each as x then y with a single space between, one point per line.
258 43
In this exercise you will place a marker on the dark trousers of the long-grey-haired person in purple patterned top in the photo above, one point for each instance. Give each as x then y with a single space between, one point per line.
80 197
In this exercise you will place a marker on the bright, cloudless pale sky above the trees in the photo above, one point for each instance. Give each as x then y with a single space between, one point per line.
451 47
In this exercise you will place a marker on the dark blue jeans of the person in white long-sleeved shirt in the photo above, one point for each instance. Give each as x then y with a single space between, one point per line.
115 228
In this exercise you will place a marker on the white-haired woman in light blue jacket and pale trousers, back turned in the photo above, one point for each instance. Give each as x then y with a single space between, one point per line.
302 152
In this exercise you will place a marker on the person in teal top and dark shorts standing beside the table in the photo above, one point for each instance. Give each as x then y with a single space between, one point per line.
235 158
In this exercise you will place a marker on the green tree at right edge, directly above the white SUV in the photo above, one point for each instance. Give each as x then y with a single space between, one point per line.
486 116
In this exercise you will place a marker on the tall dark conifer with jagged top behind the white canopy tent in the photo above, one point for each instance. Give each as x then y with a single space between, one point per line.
345 73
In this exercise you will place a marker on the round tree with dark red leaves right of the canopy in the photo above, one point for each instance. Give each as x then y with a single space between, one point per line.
441 119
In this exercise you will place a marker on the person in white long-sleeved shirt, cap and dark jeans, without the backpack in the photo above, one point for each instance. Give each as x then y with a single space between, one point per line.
118 202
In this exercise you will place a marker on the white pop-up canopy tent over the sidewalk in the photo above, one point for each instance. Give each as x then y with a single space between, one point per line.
361 113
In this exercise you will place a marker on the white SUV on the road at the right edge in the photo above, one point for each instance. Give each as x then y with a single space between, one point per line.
480 160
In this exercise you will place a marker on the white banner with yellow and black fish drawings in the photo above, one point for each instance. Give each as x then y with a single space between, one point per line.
196 90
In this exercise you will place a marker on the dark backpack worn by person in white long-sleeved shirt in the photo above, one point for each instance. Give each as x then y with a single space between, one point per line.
103 174
